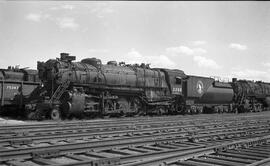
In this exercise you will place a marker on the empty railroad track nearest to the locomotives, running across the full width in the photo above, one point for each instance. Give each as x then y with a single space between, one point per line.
66 124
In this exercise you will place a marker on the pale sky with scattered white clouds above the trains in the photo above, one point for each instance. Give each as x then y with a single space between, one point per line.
227 39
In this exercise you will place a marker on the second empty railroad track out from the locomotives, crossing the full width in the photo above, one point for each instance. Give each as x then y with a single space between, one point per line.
79 133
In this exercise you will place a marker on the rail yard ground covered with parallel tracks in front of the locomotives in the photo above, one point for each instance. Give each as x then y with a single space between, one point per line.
191 140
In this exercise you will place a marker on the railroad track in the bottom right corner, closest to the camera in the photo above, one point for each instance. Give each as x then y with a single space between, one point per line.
251 152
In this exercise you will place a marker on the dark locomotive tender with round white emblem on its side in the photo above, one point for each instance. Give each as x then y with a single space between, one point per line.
205 94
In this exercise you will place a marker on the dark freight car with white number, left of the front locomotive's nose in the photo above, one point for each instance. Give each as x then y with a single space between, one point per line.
15 85
